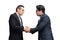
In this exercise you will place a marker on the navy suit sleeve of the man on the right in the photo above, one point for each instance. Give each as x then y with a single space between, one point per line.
40 26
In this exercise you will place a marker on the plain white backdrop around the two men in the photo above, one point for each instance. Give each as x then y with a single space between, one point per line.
8 7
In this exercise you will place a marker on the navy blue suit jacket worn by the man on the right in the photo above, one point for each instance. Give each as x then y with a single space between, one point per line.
44 28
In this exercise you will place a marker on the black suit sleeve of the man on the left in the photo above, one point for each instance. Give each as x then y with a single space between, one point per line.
13 25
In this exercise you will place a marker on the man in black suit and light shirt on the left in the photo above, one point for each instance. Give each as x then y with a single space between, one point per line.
16 24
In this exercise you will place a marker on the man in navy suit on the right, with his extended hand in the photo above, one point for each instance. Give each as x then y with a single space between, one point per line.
43 27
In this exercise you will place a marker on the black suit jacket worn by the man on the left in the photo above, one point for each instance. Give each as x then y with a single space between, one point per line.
15 28
